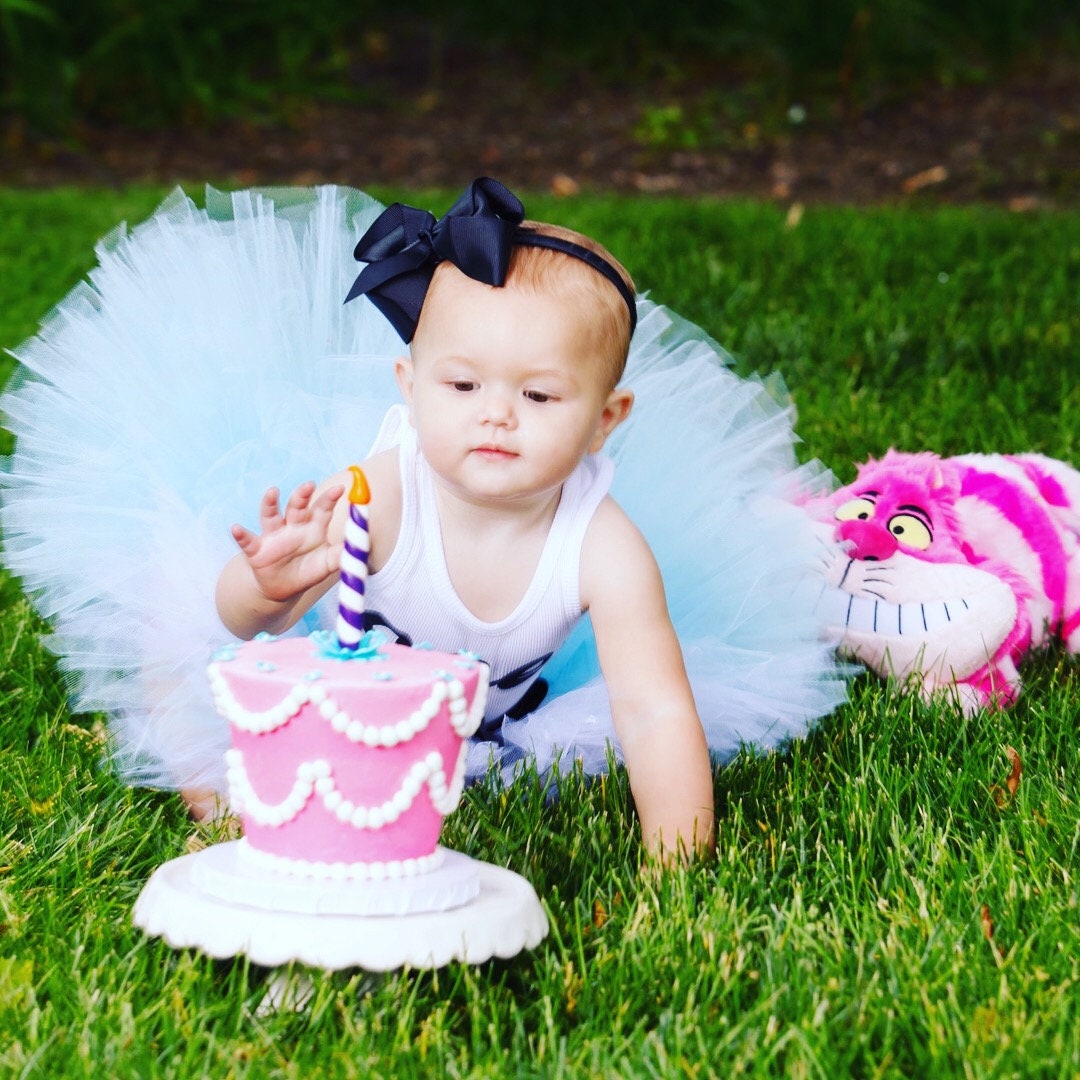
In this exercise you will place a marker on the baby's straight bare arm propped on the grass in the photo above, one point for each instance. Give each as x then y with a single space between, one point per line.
653 707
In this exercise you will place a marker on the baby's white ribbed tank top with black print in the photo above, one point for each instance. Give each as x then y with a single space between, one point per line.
413 597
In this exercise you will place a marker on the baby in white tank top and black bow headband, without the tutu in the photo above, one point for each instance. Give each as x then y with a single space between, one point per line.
492 530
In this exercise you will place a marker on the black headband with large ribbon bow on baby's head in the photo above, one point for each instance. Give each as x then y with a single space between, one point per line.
404 246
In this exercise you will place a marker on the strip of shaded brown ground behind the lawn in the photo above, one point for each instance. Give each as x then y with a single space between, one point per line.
1016 143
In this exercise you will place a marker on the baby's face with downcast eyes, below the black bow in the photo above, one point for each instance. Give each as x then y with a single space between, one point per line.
506 390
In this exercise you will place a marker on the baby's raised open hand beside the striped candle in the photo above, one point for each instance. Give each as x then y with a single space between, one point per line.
293 551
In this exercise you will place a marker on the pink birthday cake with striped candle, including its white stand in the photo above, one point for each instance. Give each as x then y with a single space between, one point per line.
347 753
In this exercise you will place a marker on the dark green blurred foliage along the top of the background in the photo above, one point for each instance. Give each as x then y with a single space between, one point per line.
64 62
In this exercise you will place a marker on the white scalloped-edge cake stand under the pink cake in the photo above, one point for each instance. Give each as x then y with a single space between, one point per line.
187 902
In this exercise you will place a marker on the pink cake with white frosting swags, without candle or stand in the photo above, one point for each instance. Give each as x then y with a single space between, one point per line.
345 768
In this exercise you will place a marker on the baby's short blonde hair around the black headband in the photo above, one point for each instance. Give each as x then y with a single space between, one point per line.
584 290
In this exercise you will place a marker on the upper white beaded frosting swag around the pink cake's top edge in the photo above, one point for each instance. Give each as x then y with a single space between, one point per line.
464 720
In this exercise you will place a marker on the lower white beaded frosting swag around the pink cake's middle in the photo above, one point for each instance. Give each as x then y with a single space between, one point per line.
316 779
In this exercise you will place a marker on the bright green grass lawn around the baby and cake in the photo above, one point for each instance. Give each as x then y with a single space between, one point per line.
880 906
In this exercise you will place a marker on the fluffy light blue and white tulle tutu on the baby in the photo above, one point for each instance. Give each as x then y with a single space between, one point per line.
210 357
